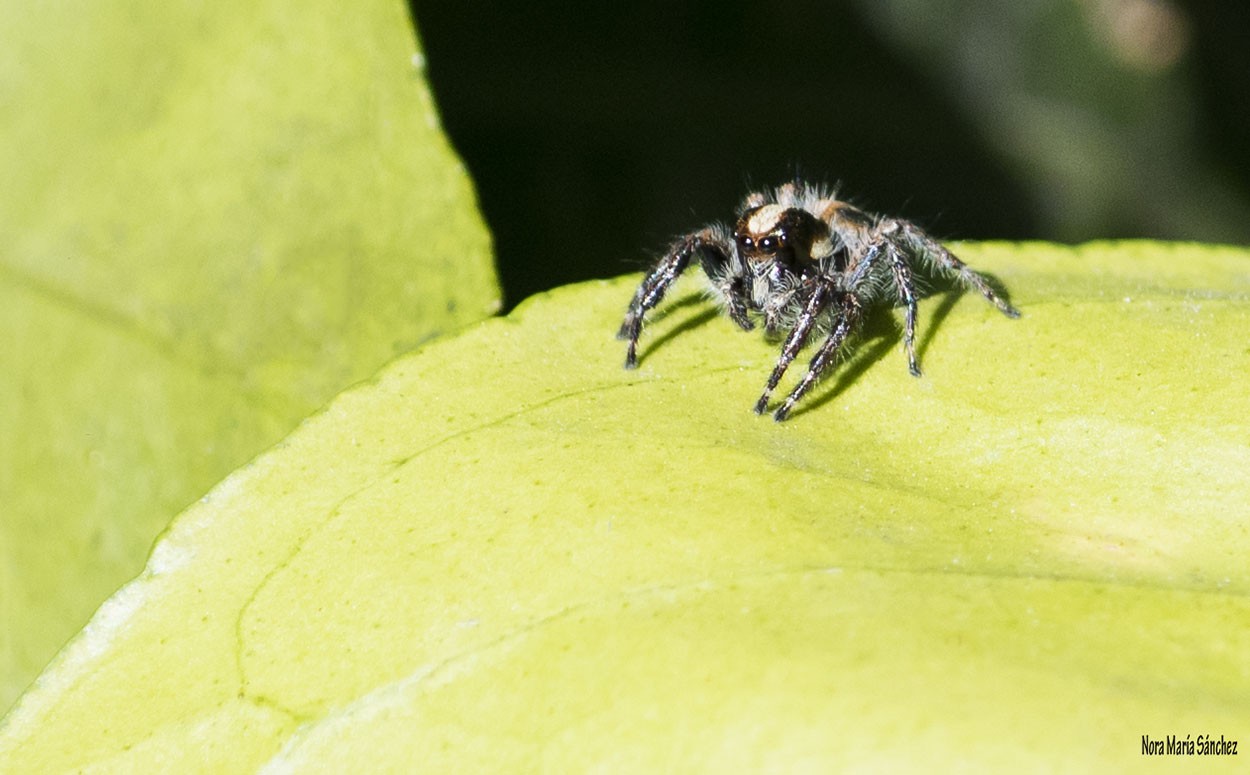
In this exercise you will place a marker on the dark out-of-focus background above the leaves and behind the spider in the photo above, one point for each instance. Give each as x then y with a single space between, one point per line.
597 133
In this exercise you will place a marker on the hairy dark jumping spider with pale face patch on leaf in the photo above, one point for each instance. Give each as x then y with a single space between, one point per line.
802 261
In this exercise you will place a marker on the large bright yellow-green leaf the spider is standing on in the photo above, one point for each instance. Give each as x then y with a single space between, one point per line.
508 553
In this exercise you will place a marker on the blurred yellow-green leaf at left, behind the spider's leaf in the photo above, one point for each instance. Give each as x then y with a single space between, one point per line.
214 218
